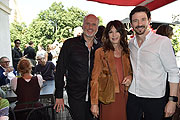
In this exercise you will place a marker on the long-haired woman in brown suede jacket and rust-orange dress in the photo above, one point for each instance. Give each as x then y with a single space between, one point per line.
114 53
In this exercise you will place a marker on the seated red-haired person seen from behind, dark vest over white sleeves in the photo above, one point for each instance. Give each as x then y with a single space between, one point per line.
27 87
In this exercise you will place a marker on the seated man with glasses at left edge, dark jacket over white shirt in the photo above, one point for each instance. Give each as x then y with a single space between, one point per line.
6 72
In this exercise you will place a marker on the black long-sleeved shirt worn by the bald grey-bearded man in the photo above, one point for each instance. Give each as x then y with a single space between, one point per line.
73 62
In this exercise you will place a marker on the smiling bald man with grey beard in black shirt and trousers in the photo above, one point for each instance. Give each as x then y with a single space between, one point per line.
75 62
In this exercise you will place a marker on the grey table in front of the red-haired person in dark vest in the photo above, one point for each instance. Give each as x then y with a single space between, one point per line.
47 91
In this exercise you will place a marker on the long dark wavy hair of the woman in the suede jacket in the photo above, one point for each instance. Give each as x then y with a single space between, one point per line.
107 45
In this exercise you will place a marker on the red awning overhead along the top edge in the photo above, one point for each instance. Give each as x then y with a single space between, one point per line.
151 4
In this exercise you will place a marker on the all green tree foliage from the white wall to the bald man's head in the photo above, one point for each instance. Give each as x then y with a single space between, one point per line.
54 23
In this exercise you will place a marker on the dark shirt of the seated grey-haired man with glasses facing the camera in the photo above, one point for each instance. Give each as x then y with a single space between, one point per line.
46 71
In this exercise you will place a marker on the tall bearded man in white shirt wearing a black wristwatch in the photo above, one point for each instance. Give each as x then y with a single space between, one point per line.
152 58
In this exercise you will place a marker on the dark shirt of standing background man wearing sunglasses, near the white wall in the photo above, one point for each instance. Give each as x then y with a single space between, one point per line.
16 56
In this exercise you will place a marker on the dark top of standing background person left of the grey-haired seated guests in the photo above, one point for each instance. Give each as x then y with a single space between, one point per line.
30 52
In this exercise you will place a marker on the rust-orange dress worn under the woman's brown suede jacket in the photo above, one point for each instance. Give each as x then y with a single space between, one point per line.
117 109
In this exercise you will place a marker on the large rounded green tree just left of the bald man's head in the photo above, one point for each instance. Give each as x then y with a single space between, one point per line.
55 23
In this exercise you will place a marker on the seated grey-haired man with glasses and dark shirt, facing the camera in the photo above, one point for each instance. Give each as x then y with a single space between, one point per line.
45 68
